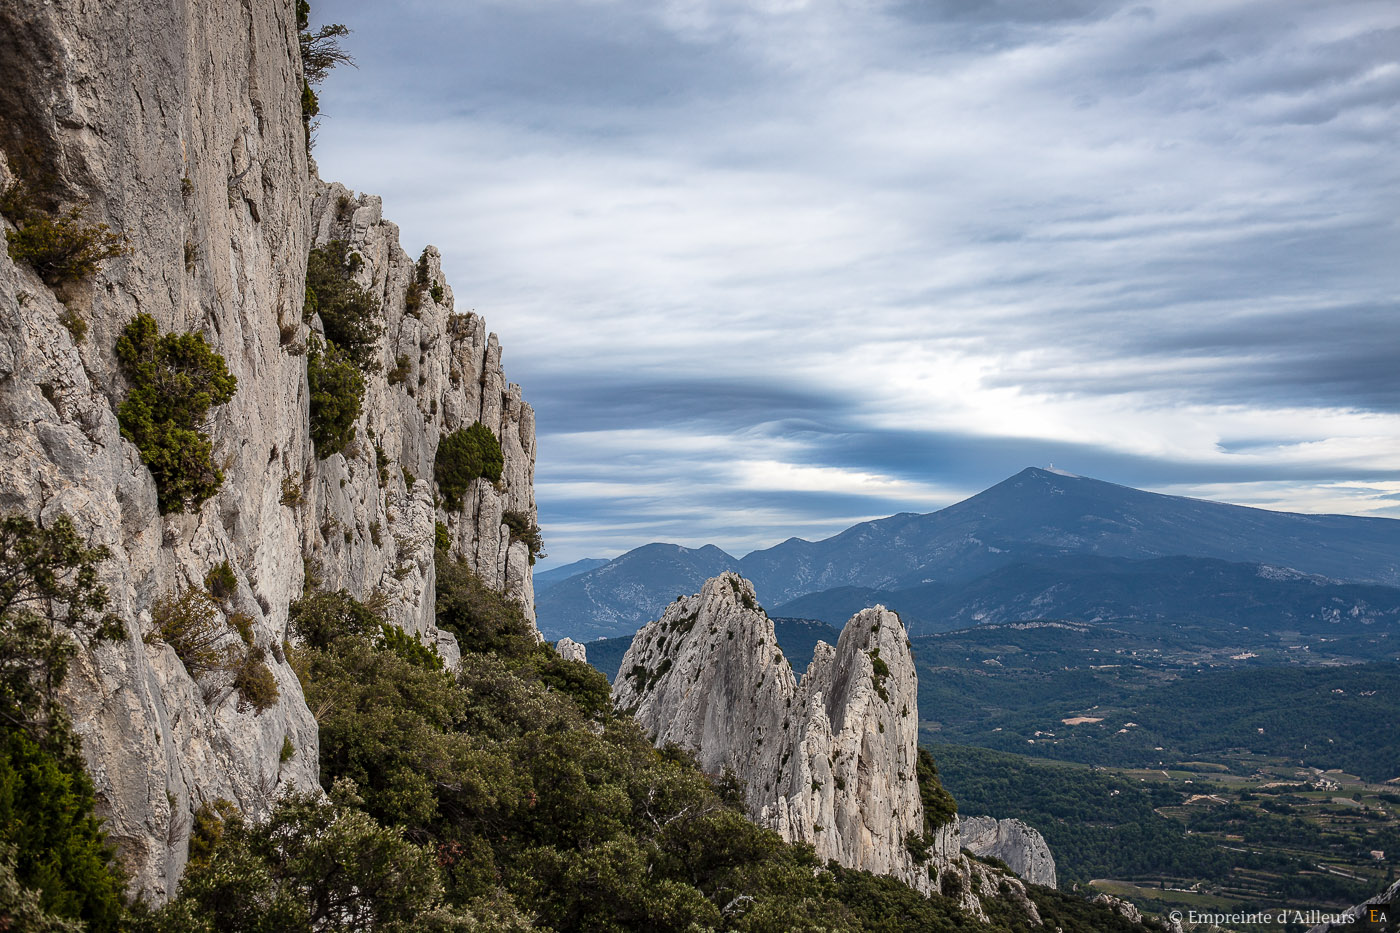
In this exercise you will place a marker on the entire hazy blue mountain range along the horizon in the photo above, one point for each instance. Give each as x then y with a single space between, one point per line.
1055 525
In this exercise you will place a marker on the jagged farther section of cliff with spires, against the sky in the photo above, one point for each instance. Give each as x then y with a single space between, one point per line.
440 372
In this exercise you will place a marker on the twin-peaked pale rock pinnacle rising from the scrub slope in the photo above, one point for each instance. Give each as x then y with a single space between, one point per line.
829 760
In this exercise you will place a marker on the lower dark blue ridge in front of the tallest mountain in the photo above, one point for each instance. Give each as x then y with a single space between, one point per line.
1093 589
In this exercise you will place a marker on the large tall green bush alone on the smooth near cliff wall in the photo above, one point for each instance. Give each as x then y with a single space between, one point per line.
176 380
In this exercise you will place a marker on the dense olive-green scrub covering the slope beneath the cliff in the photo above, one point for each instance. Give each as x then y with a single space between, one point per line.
510 796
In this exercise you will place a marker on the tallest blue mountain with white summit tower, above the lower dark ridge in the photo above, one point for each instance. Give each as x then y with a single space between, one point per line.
1039 513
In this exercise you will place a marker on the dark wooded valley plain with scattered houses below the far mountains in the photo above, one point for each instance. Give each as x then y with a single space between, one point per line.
1156 703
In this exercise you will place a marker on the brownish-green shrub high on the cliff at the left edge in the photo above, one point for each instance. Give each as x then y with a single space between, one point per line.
61 247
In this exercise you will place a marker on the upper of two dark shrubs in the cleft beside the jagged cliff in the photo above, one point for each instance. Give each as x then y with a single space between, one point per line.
349 315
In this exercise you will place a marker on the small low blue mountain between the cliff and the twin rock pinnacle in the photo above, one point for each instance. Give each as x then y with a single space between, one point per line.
628 592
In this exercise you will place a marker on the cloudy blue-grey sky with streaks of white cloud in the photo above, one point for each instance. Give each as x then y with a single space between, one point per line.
769 268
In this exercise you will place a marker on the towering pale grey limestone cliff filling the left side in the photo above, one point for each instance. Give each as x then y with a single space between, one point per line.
180 125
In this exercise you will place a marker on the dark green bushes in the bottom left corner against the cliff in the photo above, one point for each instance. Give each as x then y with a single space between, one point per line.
54 858
